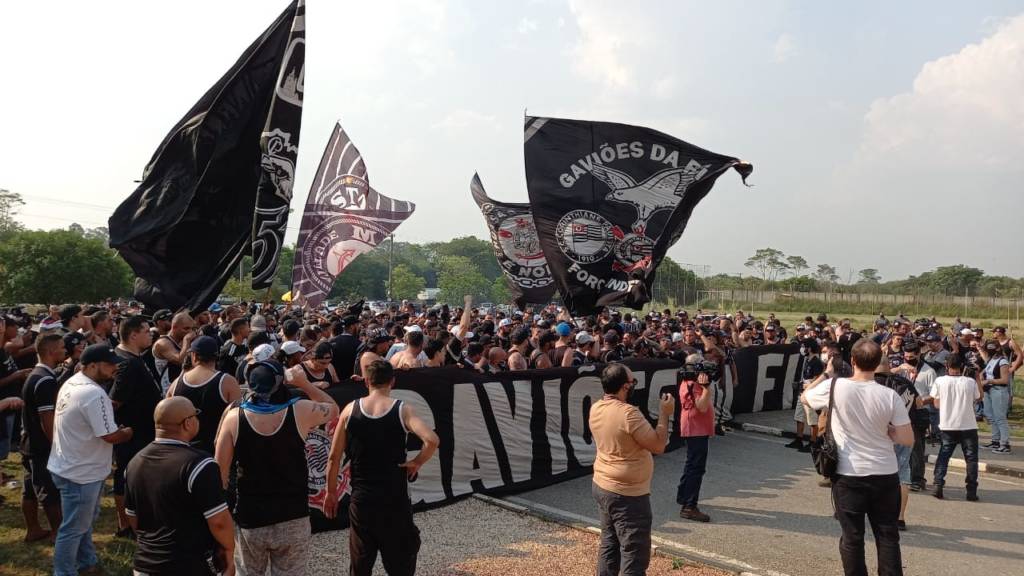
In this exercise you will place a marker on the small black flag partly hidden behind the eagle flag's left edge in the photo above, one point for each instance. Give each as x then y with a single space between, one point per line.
518 249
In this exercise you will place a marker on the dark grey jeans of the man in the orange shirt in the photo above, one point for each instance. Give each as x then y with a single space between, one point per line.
625 533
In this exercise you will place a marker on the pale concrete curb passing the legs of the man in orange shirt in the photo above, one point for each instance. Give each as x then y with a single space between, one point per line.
660 547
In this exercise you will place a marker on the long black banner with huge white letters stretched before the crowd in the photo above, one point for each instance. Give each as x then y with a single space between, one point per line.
519 431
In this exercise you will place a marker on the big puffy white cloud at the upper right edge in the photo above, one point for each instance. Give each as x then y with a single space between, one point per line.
966 111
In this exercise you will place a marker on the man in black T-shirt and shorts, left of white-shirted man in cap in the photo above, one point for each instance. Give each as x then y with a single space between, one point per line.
39 396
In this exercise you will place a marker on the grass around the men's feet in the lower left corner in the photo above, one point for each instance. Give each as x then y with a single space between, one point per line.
19 559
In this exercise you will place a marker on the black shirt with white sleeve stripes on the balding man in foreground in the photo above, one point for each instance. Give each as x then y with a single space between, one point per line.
173 489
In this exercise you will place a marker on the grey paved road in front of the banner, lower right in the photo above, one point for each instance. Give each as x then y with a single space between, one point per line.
769 512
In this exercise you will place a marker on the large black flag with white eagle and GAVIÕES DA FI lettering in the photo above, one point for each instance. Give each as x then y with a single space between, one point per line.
609 200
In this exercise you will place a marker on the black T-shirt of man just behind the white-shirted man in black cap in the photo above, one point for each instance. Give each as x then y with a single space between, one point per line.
139 394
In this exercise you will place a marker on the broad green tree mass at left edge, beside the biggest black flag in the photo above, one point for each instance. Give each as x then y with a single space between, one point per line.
49 267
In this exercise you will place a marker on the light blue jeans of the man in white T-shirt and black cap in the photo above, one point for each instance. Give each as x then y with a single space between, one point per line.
80 505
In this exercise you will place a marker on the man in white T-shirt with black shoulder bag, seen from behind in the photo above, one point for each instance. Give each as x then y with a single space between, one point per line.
867 421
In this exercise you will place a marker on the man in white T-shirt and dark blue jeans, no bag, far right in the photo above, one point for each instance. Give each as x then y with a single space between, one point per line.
955 396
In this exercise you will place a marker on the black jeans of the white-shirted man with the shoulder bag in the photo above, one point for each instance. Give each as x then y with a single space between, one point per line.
878 499
